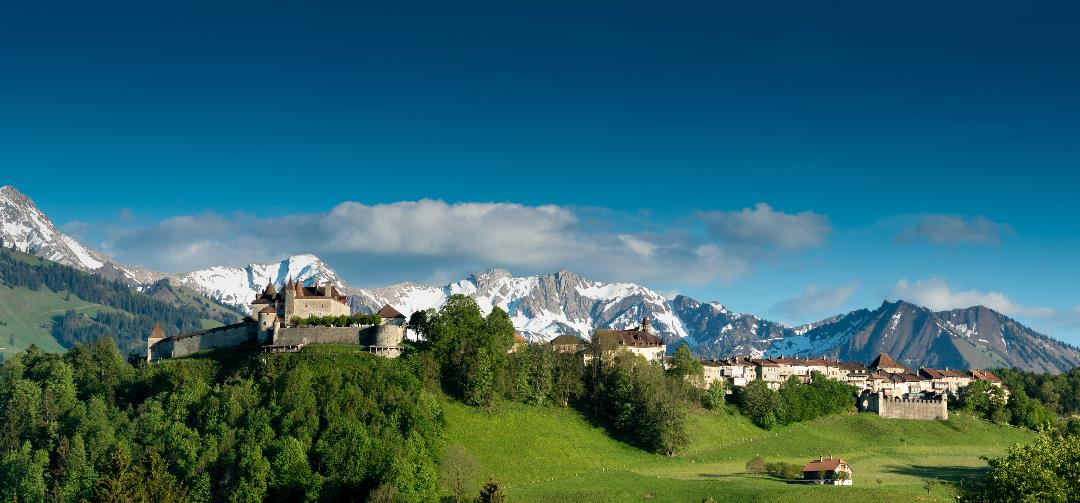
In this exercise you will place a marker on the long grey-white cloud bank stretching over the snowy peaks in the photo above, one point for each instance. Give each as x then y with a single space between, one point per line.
429 240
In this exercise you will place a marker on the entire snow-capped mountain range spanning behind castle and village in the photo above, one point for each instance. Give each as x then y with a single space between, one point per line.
544 307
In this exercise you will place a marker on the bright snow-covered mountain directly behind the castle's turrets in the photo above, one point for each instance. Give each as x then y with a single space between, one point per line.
238 287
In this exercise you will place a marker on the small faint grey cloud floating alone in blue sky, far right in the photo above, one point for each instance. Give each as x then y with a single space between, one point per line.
954 229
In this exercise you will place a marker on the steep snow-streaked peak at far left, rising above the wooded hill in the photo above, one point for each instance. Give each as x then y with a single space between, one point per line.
25 228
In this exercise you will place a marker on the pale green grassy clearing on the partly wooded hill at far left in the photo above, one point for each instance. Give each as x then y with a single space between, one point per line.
29 316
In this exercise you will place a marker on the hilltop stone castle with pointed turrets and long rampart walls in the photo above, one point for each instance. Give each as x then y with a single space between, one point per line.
274 327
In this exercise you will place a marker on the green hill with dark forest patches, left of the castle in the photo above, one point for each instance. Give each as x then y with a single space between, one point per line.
53 307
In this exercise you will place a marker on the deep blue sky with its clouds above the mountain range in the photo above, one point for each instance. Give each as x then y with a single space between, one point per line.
788 159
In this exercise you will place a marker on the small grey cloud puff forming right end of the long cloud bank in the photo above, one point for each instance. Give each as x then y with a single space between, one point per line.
764 227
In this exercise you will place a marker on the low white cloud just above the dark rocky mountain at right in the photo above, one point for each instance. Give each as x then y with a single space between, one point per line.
937 295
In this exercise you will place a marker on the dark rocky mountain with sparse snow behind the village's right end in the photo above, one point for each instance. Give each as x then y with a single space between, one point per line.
966 338
